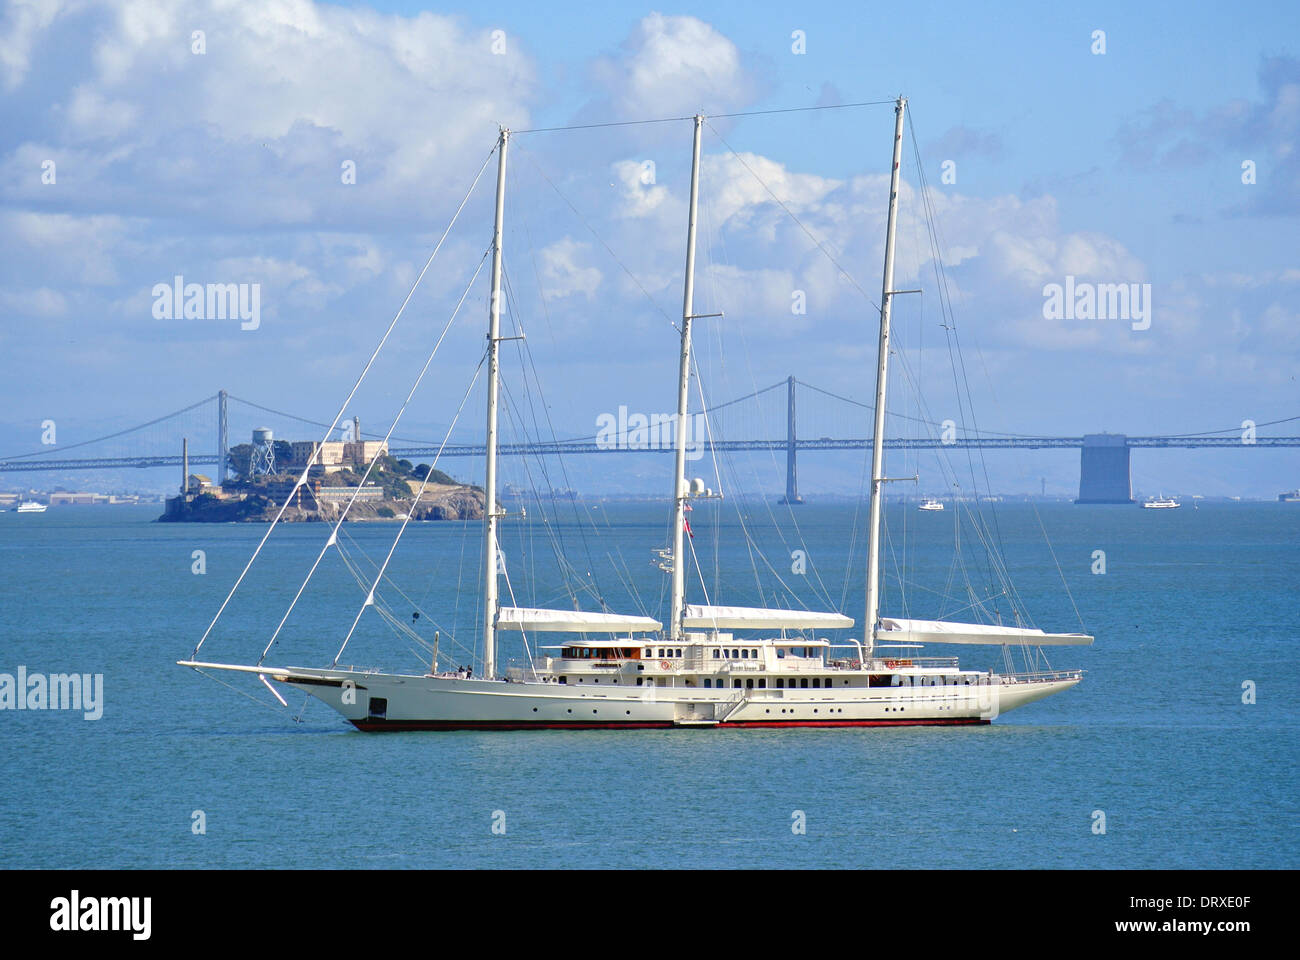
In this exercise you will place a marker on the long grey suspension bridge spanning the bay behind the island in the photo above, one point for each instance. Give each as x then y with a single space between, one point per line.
1104 465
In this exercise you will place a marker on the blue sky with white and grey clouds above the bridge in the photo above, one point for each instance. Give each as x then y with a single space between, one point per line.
318 152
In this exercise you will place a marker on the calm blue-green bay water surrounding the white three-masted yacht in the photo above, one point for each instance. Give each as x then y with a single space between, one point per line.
1193 604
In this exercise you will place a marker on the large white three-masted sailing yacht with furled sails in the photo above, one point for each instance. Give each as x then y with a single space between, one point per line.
712 667
